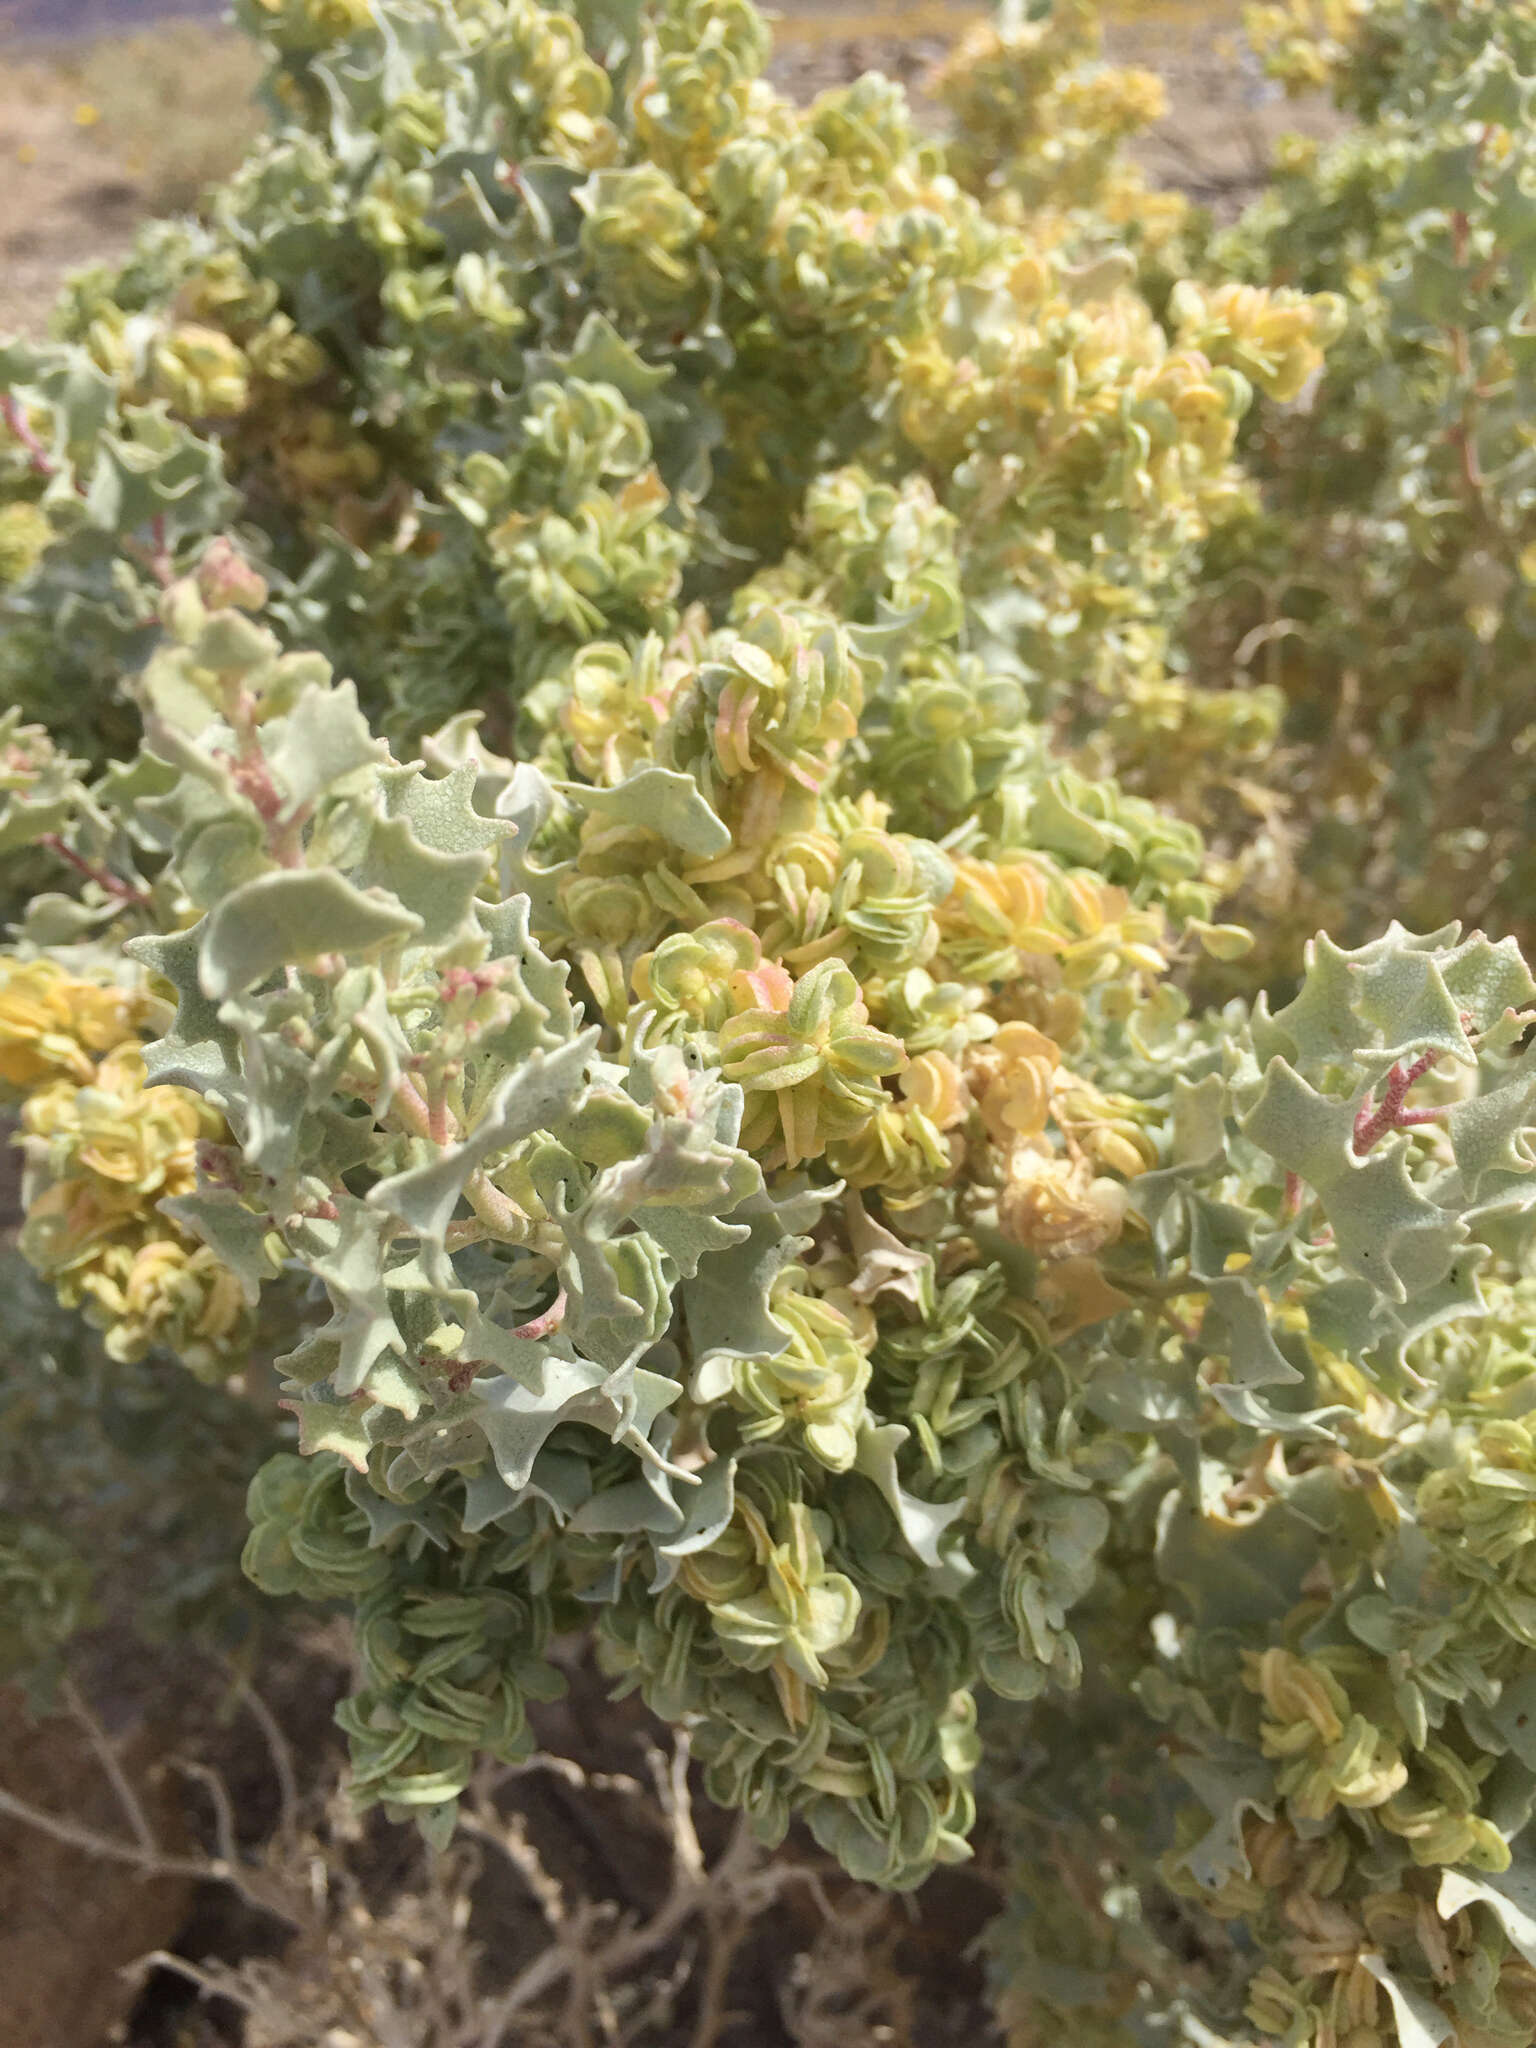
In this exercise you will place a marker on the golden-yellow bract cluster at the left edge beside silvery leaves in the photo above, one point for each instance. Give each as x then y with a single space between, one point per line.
103 1150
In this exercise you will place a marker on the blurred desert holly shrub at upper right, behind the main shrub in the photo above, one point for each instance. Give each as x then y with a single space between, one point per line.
1385 583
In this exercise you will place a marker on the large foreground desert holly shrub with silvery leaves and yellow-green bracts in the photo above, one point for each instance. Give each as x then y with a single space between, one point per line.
595 660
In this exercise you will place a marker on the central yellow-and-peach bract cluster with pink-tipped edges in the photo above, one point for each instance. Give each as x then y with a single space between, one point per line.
851 1000
